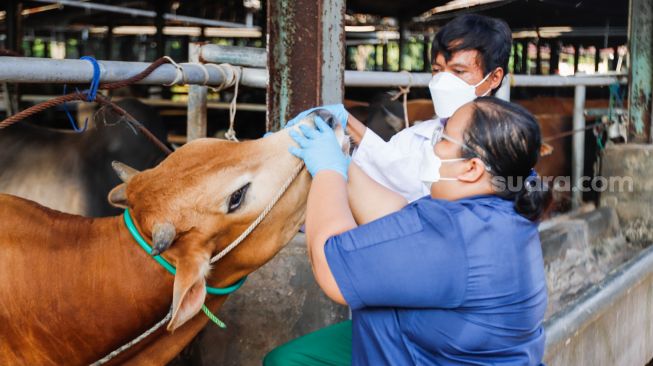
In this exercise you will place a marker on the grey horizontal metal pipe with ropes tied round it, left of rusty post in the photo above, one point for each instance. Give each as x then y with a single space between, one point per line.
41 70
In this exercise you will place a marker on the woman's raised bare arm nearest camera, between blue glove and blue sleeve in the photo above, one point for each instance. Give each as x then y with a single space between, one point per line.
327 214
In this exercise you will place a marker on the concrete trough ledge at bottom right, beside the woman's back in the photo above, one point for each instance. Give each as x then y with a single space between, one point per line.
612 324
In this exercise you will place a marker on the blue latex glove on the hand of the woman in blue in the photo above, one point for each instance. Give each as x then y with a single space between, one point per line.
319 148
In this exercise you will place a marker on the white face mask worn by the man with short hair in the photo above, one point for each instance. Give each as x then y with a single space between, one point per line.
450 92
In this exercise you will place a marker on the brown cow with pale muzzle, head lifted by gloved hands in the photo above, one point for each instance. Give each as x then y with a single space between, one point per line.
73 289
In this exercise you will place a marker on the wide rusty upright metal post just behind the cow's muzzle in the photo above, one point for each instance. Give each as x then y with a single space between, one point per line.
296 57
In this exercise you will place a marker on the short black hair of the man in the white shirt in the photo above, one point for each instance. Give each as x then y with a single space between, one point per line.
491 37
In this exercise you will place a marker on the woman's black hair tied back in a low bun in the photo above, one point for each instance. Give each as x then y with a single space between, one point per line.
507 138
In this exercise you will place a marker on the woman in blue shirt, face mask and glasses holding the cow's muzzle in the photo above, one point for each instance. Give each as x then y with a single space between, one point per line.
454 278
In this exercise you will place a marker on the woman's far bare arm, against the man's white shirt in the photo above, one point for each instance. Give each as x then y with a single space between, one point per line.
368 199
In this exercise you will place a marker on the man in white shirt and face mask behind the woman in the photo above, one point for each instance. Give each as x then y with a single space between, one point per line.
470 57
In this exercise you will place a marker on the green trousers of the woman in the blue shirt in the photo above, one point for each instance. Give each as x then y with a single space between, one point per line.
330 346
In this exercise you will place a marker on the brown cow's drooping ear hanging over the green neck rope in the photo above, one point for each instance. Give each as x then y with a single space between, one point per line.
189 289
